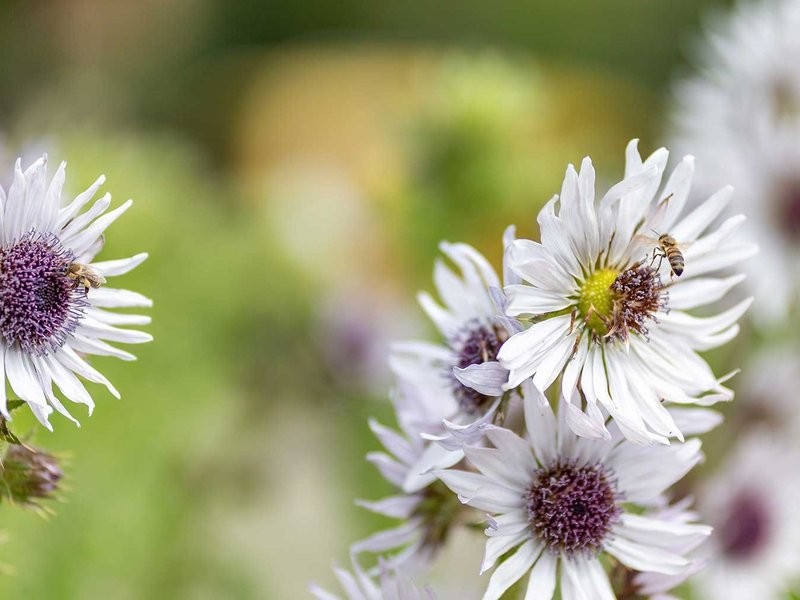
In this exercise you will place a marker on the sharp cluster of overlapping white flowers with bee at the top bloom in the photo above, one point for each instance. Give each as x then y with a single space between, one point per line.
566 401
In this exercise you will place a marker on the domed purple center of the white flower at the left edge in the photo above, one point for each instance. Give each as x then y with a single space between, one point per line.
39 304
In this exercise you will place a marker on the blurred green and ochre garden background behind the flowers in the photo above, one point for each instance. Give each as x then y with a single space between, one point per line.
293 166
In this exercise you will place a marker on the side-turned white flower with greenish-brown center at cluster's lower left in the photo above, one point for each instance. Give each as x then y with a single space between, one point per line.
428 513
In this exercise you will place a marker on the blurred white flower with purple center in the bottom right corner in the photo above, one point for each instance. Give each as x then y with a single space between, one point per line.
752 505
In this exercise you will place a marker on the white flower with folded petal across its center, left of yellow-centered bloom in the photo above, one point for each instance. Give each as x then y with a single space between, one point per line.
459 381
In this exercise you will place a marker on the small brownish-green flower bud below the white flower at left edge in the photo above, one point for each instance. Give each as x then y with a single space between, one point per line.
28 475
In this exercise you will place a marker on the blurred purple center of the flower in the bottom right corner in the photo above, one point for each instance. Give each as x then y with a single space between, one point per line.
746 527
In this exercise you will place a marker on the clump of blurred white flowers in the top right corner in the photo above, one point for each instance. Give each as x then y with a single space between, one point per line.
740 116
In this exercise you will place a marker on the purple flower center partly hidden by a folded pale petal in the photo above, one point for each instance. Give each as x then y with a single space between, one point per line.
478 344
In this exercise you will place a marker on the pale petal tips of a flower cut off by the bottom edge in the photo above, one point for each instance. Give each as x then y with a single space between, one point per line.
393 584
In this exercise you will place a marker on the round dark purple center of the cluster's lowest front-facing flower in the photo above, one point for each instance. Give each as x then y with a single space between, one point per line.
572 509
